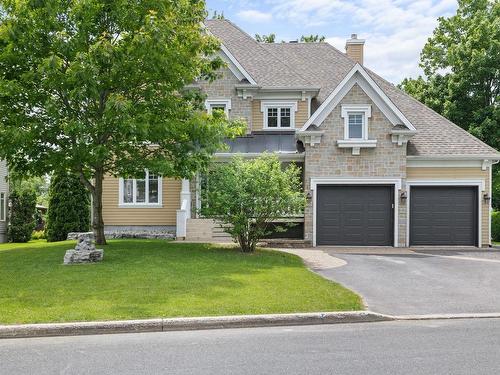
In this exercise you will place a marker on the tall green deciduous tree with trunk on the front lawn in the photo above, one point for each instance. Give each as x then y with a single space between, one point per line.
97 87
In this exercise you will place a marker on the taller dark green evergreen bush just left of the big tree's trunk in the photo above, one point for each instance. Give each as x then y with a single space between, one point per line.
69 207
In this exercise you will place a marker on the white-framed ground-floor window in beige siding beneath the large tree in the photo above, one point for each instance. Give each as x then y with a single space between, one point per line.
144 190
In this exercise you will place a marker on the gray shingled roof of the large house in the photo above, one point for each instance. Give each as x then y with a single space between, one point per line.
321 65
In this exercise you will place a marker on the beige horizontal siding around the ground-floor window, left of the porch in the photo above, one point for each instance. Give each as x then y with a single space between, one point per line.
165 215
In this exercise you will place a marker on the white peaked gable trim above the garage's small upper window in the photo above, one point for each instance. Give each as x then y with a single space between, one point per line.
368 85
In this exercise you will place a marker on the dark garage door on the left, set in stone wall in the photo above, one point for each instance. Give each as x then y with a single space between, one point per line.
354 215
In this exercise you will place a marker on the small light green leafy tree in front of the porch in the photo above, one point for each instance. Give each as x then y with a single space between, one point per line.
247 195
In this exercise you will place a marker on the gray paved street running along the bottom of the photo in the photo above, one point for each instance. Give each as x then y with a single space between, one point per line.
426 347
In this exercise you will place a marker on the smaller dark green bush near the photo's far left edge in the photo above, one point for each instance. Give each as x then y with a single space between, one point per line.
22 215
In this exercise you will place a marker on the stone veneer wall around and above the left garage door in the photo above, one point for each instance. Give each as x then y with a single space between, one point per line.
387 159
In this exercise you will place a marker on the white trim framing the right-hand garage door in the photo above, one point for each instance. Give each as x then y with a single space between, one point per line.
480 184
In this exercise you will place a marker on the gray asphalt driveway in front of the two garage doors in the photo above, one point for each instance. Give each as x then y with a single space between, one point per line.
447 282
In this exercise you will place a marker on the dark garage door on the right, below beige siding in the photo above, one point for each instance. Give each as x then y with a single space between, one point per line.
443 215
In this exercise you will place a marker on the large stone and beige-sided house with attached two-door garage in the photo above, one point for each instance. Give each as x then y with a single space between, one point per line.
379 167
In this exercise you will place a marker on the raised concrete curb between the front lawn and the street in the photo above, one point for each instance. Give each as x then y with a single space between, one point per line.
183 324
